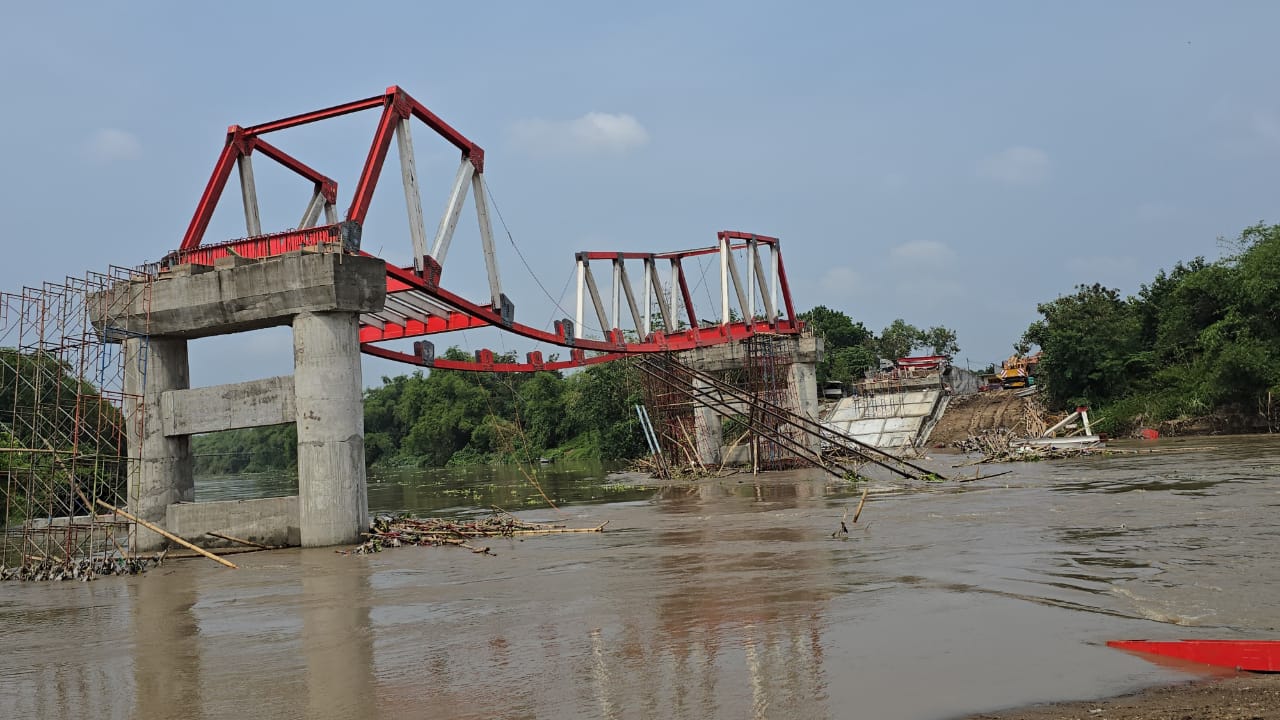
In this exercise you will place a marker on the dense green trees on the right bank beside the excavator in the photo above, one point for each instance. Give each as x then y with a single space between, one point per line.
1203 339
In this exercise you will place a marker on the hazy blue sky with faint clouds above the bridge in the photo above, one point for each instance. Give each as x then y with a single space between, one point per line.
944 163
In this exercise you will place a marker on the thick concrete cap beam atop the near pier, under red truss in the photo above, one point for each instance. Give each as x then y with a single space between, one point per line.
246 297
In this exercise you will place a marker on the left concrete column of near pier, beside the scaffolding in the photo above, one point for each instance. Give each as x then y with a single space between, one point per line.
161 468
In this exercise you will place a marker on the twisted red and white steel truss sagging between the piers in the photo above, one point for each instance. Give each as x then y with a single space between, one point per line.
417 303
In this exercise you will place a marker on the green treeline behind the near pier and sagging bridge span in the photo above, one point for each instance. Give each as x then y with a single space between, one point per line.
452 417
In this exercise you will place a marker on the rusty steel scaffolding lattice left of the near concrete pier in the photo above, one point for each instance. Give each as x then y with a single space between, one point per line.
65 418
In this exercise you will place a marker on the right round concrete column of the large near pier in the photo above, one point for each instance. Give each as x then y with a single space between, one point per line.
333 502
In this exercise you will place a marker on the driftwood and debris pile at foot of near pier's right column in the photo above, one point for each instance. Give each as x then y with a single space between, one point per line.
432 532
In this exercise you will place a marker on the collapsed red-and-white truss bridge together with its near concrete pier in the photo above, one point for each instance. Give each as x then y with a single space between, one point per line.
342 302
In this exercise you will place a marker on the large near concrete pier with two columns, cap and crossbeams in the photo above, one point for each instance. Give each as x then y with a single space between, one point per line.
322 297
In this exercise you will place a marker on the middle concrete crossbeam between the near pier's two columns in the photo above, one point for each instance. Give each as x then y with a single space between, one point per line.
228 407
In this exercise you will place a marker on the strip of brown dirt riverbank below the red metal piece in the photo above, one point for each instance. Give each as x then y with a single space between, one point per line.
1237 698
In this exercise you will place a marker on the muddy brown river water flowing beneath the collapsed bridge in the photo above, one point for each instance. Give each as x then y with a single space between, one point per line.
729 599
